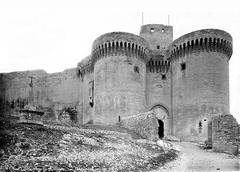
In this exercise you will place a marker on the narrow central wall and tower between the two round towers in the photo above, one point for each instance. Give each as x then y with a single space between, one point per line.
158 89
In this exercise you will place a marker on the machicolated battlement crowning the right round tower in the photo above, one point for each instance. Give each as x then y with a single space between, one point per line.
202 40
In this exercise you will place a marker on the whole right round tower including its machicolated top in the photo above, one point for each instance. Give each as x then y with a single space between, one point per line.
200 81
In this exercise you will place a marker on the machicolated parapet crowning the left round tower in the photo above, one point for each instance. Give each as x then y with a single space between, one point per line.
119 44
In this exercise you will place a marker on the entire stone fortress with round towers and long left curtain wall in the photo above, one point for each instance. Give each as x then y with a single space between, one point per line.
184 81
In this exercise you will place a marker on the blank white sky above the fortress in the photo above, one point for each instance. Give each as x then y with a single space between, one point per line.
55 34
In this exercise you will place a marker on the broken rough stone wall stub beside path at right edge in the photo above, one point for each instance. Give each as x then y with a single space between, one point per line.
225 134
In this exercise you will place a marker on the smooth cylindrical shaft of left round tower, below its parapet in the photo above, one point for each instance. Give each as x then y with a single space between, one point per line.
119 90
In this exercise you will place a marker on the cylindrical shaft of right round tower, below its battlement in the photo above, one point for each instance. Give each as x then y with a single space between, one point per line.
199 92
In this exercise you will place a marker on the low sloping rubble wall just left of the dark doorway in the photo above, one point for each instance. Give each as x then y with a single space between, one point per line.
144 124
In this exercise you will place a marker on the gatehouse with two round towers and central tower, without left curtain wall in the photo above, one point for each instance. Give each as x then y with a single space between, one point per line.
185 81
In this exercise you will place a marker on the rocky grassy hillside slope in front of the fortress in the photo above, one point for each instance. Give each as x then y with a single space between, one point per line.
32 147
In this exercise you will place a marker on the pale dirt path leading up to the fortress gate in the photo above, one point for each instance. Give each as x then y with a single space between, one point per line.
192 158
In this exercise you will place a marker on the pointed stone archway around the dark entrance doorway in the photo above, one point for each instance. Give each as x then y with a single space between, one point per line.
163 120
